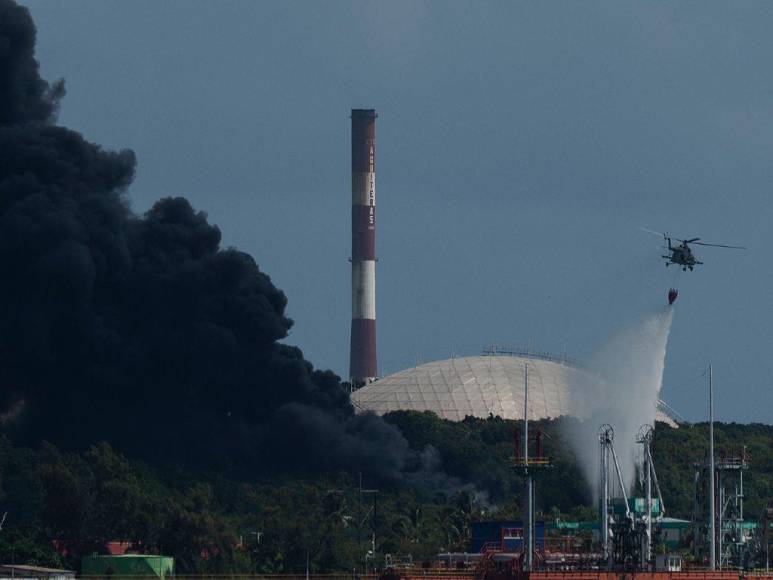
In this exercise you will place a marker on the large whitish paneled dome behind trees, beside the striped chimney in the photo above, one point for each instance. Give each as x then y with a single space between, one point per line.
477 386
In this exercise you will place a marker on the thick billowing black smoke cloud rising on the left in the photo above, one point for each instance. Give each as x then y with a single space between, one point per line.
142 330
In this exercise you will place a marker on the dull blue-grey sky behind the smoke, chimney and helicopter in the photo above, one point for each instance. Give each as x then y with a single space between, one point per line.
519 148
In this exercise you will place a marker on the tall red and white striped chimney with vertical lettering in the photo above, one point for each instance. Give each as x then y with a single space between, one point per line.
362 357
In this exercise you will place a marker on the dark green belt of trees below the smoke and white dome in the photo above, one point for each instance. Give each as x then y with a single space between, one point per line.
211 523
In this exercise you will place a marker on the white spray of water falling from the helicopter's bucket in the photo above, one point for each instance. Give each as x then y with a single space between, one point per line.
621 389
